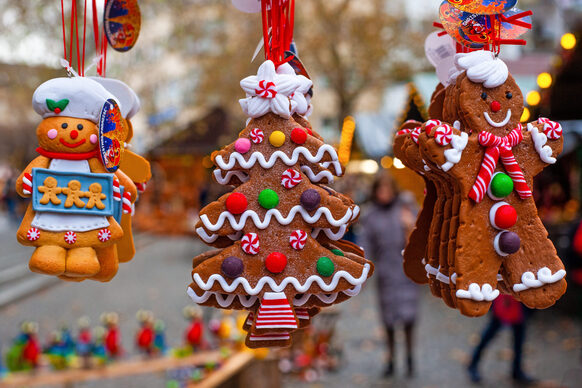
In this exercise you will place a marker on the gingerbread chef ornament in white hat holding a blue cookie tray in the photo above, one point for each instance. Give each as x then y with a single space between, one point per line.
74 235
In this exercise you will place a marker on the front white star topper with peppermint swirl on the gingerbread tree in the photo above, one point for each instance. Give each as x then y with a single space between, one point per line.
269 92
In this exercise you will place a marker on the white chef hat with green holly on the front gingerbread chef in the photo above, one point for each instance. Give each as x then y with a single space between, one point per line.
78 97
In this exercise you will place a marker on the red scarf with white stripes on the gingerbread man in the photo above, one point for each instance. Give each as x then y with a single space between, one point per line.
499 147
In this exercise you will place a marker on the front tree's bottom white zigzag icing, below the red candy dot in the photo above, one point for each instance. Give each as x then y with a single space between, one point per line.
301 288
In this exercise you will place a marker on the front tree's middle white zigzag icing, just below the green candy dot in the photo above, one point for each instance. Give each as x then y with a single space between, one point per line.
263 224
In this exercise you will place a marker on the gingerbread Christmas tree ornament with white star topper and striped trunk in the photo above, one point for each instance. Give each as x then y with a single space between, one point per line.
280 229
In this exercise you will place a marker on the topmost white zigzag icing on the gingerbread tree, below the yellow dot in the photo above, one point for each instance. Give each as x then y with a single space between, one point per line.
255 157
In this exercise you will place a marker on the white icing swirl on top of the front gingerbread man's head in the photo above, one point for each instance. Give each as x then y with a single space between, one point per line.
483 67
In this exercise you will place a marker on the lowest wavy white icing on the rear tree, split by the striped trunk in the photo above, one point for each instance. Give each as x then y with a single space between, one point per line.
247 301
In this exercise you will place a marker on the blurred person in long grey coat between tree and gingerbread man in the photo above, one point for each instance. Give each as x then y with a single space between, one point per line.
385 227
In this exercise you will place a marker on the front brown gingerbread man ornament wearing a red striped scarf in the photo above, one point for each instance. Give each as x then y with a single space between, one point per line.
493 158
